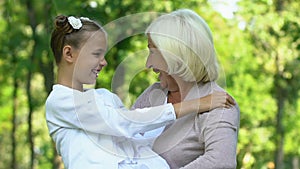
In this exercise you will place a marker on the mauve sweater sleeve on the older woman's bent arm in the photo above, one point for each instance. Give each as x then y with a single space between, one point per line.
220 138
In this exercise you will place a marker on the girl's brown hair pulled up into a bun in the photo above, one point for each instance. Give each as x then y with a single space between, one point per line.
64 34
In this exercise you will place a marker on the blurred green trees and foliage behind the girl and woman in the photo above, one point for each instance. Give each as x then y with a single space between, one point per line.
258 50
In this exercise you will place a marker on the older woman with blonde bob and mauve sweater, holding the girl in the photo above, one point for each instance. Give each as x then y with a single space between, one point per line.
182 52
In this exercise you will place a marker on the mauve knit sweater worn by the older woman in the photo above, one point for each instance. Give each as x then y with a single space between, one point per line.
196 141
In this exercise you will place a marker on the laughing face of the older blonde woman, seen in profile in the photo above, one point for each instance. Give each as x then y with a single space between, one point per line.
156 61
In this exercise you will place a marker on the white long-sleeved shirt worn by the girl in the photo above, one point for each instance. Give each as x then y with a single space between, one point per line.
92 129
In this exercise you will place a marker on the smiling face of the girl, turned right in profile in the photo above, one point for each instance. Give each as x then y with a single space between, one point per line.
90 59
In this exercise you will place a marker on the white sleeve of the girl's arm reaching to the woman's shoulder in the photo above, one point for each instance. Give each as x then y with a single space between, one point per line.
104 114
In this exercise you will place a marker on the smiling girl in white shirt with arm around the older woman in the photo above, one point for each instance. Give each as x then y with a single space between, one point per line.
92 129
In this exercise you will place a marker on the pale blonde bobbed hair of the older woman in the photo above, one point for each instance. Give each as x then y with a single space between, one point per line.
185 41
